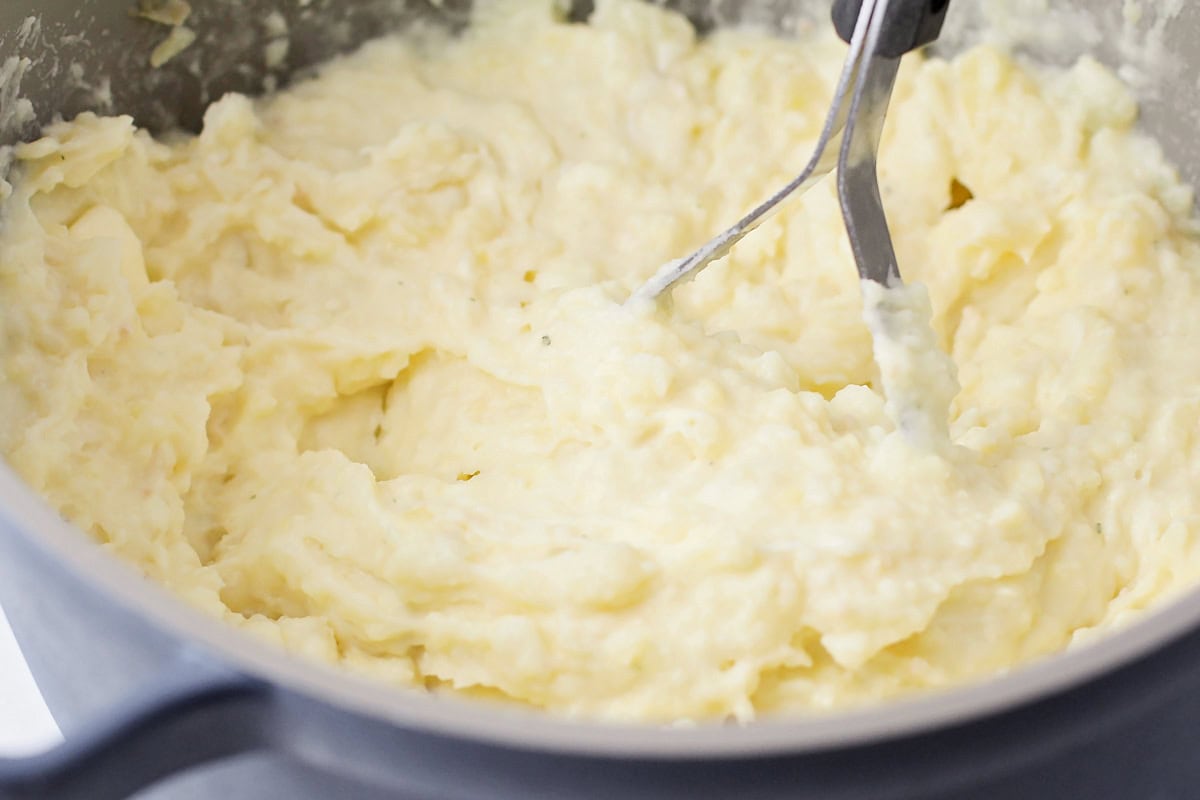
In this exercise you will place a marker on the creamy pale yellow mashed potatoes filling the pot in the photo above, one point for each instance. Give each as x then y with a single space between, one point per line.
352 369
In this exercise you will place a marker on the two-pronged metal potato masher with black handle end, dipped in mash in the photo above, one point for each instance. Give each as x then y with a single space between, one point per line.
880 33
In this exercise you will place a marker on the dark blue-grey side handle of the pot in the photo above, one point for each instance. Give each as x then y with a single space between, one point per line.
197 712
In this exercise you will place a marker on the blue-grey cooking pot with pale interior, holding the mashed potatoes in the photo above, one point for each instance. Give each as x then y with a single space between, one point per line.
148 691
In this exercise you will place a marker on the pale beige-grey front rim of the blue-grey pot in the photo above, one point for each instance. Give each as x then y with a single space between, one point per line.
23 513
